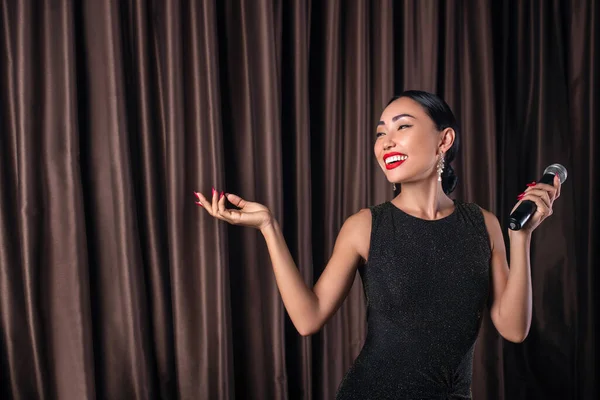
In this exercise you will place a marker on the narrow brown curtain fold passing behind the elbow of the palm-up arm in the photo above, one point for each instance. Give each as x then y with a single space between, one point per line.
296 175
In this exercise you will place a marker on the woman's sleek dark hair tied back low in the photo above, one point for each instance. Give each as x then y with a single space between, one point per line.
443 118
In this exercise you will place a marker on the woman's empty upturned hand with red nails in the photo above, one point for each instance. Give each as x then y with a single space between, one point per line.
249 213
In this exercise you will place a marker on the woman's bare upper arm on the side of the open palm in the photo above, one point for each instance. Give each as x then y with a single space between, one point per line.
350 250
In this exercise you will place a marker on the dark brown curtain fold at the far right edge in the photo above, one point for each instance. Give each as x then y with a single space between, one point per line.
582 40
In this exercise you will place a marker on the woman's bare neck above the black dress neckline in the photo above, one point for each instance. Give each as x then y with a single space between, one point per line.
424 199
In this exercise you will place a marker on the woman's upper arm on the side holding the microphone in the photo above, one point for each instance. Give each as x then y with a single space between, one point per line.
499 263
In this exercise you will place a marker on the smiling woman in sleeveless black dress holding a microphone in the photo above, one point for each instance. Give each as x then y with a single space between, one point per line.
428 263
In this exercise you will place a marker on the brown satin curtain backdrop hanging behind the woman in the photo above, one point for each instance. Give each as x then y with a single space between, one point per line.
115 285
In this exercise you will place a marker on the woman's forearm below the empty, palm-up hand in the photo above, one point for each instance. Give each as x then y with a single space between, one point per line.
300 301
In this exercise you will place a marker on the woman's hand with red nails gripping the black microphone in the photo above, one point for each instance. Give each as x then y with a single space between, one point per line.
543 195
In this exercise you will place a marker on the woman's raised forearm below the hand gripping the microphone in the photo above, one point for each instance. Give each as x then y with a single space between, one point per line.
516 302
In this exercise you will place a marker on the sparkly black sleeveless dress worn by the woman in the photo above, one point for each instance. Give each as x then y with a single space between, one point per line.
426 284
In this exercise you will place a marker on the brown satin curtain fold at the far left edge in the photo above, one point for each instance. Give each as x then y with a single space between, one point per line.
22 319
